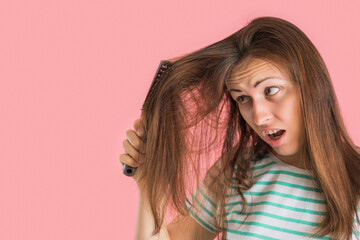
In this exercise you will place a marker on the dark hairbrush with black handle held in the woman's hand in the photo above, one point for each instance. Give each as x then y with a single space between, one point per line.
163 68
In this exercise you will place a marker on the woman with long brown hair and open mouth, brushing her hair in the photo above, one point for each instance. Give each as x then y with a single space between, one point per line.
287 168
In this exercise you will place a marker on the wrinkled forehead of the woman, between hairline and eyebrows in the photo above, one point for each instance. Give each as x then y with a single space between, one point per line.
256 69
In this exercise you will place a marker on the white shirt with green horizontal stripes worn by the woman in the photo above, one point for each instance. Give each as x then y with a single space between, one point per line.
283 203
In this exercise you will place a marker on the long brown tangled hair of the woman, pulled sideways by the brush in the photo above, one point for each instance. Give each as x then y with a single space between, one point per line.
193 114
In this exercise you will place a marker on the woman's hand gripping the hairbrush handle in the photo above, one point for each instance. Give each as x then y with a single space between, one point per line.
134 147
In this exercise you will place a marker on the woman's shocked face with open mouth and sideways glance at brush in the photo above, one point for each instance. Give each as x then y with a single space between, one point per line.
267 98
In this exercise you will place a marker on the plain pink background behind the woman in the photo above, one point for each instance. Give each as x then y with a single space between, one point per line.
73 77
